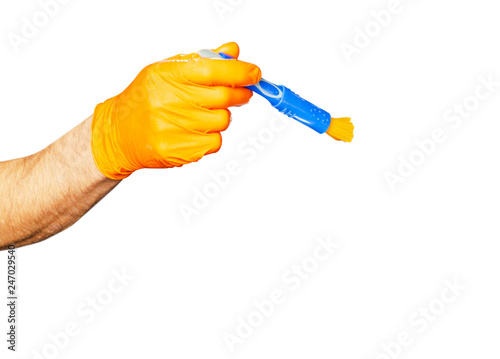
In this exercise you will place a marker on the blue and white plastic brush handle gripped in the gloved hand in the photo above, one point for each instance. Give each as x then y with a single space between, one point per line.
285 100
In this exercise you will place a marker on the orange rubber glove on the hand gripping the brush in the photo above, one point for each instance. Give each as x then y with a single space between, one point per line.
171 114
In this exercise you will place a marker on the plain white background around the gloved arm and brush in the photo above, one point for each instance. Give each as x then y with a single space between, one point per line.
193 280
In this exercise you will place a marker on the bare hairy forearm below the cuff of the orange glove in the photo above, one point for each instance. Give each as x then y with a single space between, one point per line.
45 193
